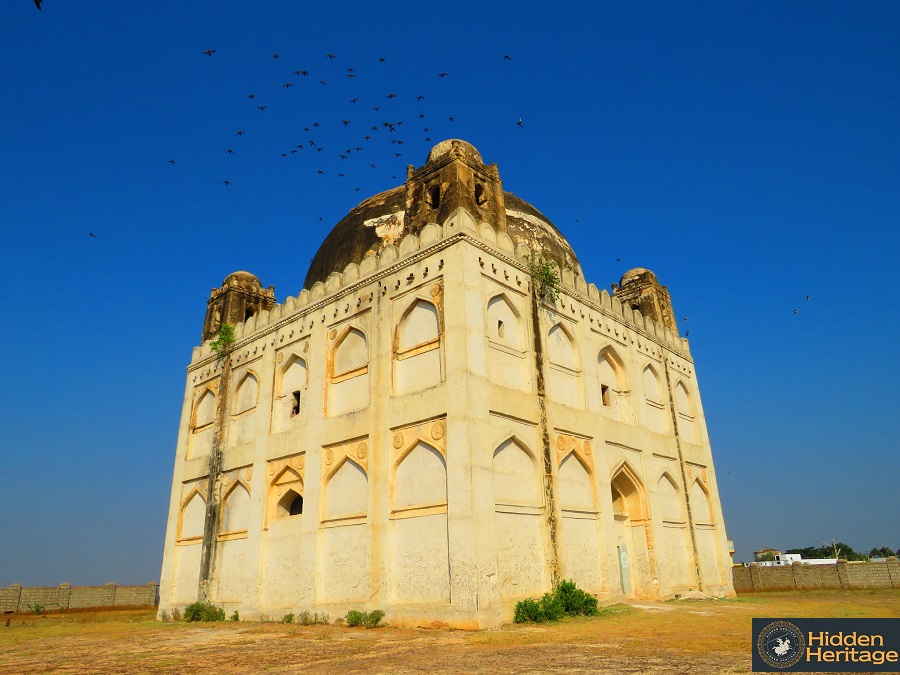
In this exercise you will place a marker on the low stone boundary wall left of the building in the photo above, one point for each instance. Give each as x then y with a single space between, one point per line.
17 598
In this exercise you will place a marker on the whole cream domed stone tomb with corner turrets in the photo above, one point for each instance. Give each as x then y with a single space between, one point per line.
428 431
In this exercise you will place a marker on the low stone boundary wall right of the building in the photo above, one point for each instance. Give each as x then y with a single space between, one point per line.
848 576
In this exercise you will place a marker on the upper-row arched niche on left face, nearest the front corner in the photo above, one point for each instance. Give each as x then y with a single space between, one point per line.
417 353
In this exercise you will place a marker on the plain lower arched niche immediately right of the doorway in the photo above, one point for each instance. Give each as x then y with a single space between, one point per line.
674 551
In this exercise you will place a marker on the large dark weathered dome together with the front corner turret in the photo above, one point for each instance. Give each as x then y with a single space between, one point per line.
384 218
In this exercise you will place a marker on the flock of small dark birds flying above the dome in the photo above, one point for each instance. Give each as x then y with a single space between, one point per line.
374 127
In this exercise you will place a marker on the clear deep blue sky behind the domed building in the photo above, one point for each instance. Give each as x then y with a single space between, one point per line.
747 152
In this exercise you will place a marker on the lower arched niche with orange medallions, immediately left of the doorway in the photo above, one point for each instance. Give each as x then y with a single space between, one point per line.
580 533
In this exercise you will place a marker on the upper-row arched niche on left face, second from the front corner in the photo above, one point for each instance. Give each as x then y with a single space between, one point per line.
348 371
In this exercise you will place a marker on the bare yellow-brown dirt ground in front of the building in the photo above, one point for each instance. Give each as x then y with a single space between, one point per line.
703 636
